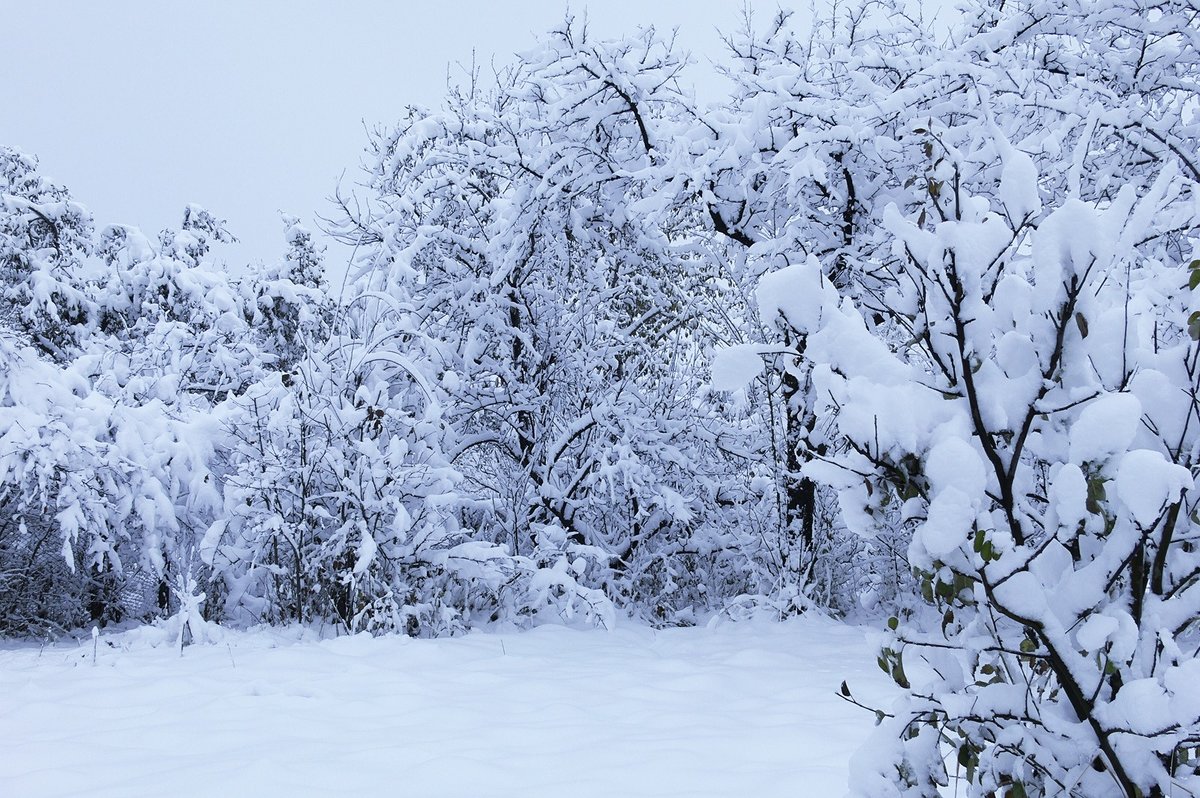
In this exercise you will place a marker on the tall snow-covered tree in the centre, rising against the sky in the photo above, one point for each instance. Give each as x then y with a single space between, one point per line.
553 262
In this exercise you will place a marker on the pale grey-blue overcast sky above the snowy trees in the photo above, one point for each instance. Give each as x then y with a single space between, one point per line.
251 109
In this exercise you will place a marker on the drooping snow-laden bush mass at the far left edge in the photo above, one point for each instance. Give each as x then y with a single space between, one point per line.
107 371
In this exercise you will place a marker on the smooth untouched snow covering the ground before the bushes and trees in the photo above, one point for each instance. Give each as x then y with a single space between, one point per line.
740 710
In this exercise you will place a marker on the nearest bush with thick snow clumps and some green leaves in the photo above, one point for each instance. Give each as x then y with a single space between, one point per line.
1035 427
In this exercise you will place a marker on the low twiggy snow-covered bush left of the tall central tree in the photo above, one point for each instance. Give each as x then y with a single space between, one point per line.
334 485
